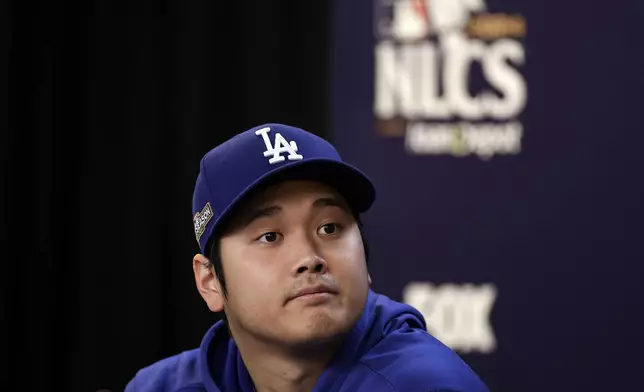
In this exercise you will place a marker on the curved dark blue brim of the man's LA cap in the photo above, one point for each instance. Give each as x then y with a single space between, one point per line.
351 183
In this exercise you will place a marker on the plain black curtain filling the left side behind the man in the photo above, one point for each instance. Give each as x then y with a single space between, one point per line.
110 109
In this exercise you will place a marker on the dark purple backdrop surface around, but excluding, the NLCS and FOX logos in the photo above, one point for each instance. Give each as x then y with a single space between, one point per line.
557 228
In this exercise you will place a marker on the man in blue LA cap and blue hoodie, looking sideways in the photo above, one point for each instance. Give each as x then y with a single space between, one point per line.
276 214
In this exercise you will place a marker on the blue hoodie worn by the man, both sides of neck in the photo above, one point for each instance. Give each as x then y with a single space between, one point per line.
388 350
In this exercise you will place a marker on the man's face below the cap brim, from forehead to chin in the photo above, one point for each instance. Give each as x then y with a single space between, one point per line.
295 236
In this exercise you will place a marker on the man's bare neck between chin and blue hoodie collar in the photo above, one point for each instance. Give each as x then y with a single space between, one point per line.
274 370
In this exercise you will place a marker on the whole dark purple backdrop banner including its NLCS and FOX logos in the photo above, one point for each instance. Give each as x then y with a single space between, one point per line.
505 141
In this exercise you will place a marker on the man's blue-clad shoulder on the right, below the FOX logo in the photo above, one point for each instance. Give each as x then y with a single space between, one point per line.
414 360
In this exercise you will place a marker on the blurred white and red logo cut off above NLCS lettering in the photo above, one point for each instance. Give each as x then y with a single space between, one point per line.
418 19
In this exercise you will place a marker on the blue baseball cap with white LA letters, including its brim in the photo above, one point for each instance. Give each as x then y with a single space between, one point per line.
264 155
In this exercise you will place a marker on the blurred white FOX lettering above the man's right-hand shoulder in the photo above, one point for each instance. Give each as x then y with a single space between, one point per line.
458 316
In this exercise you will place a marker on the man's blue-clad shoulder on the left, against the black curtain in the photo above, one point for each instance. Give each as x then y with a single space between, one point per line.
172 374
